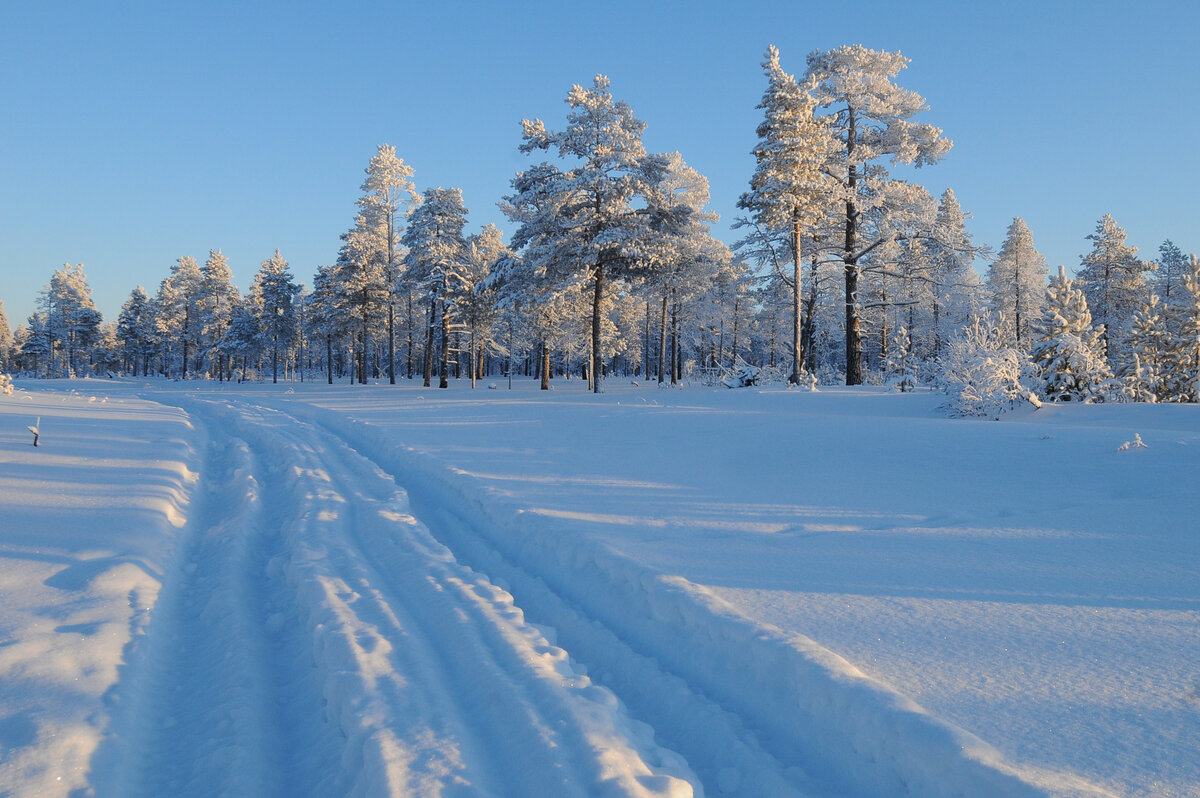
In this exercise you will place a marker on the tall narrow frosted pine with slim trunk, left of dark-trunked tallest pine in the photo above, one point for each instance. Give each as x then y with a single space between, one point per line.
790 188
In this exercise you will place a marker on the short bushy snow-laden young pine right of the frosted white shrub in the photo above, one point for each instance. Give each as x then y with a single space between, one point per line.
1071 353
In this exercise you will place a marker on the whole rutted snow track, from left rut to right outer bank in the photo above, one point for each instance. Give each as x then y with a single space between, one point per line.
327 632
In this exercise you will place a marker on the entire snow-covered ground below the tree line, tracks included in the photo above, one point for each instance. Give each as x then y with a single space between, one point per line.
314 591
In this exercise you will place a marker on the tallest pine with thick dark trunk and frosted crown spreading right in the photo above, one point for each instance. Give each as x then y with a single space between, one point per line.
872 121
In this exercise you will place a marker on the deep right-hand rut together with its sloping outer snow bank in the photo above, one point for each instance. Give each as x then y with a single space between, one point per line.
757 712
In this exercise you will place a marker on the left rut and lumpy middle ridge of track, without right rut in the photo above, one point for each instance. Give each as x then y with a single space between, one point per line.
375 663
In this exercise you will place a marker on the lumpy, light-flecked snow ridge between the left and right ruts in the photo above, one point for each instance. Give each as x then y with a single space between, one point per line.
430 673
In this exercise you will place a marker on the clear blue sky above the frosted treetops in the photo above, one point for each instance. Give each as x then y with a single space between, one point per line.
134 134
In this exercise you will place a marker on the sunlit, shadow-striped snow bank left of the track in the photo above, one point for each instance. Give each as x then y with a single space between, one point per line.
88 523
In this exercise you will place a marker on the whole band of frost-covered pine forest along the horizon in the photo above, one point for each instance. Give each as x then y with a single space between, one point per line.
843 274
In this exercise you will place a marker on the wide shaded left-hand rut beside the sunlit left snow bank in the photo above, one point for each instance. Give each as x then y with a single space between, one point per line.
199 715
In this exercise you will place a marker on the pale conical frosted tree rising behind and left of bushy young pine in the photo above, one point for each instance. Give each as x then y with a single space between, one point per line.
1017 284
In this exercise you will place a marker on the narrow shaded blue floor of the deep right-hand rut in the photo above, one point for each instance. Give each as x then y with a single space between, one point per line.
721 745
